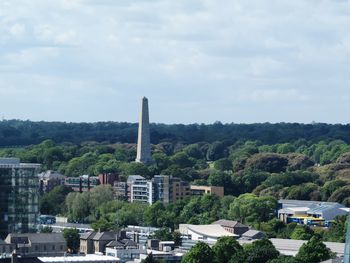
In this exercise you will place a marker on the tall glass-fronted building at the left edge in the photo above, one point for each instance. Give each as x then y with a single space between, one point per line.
19 193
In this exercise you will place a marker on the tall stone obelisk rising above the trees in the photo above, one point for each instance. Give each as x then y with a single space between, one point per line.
143 141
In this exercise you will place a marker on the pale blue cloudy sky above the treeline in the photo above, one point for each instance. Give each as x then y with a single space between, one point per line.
197 61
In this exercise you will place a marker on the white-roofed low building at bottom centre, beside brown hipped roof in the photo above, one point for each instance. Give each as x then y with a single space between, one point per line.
204 232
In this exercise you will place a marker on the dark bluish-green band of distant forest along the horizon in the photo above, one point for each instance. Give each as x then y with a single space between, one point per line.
16 132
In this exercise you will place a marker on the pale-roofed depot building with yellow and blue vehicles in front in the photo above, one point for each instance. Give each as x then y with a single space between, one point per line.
312 213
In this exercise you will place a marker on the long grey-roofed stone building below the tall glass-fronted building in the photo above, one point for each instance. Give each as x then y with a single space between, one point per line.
38 244
